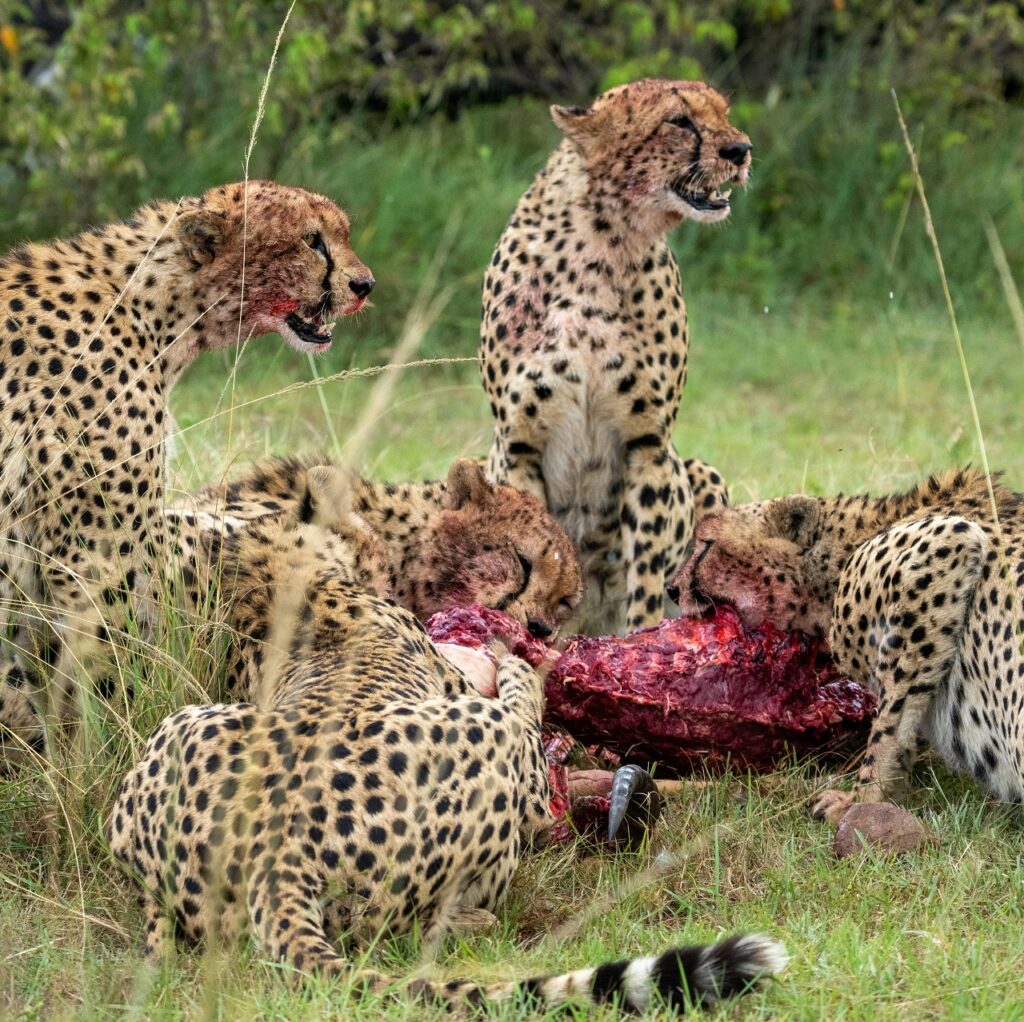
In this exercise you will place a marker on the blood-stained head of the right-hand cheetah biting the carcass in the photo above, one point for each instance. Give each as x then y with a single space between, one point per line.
765 561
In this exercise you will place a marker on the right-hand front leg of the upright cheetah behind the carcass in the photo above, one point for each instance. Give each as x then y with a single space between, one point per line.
648 528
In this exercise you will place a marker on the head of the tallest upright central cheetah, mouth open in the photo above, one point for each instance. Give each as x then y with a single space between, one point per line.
667 149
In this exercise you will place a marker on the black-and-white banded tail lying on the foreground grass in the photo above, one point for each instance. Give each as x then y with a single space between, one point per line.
684 977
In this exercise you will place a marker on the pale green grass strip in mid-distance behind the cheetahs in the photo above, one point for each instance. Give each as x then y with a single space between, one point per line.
796 399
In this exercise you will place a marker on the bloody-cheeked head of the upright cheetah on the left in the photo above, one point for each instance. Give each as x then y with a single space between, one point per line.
284 251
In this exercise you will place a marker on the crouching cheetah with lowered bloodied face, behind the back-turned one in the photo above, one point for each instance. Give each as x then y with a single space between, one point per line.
451 543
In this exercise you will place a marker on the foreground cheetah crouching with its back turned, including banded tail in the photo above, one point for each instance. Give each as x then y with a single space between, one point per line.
376 792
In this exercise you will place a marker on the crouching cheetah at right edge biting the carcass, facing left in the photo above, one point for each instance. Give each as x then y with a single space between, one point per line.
921 598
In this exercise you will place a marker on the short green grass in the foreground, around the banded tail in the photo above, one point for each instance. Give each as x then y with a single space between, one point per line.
937 935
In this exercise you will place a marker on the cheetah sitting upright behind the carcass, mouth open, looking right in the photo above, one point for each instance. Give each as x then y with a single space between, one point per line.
584 336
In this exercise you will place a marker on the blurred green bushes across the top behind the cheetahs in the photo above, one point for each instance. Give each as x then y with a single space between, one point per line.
105 104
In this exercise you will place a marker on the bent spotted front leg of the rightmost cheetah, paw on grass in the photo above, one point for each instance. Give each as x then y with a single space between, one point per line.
905 597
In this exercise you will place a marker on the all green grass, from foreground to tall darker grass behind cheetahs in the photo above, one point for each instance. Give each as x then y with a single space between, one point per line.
793 388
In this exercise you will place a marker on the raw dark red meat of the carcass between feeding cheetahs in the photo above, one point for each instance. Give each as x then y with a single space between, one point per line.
693 694
